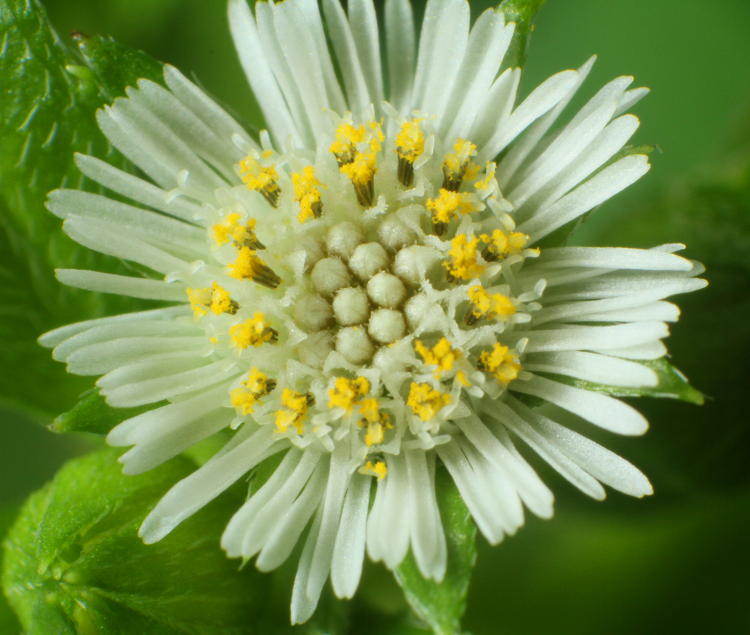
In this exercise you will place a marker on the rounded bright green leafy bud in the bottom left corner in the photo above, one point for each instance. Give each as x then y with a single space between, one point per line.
73 561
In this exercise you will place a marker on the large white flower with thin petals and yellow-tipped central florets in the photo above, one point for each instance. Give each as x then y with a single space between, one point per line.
361 291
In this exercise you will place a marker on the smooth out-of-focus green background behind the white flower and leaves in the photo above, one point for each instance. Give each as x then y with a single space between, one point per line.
677 562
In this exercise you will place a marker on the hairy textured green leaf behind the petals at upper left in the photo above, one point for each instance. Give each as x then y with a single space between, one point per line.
50 95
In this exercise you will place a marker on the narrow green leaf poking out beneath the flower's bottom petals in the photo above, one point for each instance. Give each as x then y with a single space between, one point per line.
442 604
